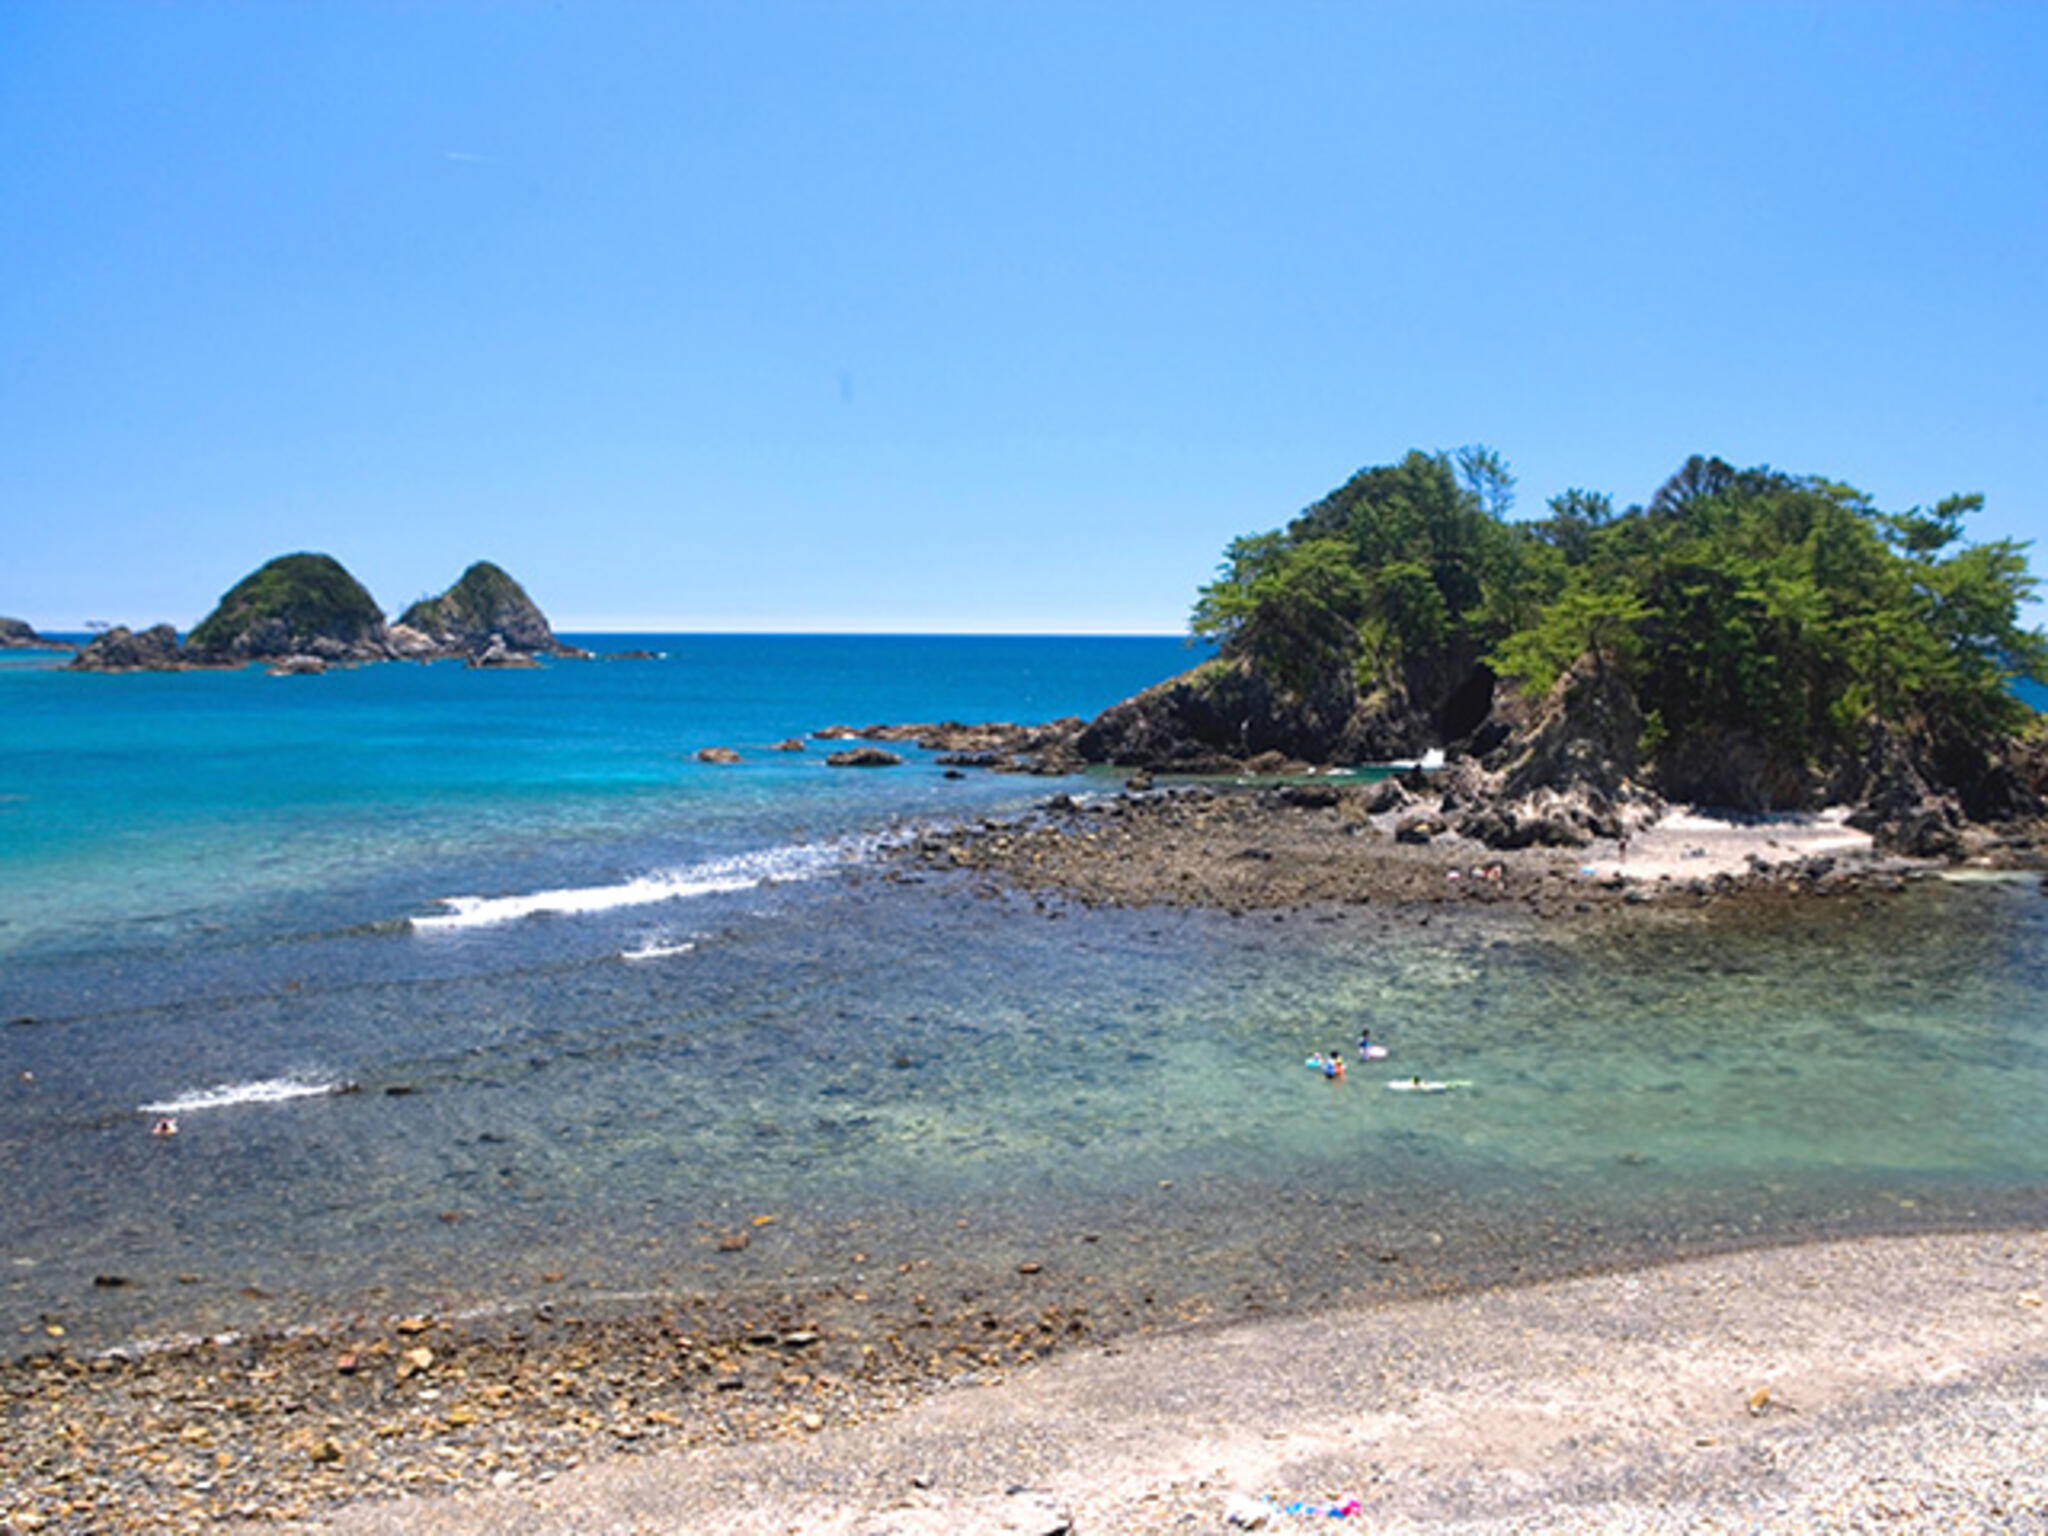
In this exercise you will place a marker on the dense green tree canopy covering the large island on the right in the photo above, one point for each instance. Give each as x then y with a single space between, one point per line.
1781 607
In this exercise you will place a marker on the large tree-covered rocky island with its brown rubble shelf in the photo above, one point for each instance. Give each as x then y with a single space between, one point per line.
1754 642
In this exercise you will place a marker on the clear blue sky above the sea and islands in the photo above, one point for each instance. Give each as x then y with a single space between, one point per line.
970 316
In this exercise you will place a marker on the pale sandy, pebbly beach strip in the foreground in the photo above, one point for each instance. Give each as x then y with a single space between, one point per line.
1895 1383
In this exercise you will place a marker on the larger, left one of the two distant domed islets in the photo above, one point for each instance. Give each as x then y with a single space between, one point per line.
298 605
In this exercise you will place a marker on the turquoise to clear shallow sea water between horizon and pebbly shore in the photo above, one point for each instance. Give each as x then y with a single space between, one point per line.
599 1005
